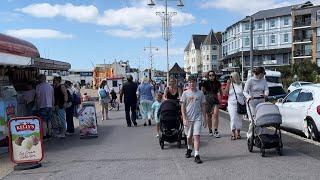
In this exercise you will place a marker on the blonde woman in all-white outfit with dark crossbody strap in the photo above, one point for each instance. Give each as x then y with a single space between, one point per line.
235 85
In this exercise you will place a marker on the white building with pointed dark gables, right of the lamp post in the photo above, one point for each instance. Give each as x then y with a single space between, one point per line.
202 53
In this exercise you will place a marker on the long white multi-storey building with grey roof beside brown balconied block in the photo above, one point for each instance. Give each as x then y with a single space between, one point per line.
272 38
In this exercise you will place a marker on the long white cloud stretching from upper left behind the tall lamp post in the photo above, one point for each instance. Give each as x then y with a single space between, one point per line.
138 16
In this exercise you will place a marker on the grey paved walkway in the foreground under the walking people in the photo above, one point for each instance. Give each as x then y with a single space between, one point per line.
134 153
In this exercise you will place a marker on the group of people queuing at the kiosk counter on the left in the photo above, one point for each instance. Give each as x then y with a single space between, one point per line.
56 104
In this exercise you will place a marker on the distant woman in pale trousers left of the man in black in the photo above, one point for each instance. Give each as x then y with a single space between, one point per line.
104 99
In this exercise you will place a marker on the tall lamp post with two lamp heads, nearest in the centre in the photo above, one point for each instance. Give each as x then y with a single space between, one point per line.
166 18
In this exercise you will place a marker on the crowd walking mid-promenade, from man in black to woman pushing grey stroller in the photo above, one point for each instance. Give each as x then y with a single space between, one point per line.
199 103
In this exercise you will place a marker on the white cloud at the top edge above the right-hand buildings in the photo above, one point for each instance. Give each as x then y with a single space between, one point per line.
246 7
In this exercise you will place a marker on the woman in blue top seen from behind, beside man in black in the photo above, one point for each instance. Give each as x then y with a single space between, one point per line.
144 93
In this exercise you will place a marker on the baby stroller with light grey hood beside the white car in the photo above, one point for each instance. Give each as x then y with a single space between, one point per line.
267 115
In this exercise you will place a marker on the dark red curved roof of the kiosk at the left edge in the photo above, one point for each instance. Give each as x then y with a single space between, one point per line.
12 45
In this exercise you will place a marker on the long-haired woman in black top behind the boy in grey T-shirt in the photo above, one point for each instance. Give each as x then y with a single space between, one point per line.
212 89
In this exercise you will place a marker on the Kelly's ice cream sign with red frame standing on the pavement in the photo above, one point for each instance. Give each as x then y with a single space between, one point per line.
26 145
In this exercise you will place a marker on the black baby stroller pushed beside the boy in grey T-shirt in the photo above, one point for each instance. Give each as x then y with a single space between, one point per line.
171 127
